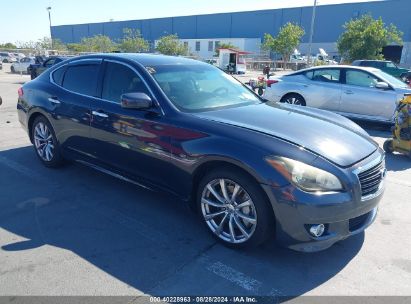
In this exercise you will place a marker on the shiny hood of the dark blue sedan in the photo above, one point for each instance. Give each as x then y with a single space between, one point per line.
324 133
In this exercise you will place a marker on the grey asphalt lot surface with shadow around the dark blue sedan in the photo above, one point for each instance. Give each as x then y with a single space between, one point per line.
75 231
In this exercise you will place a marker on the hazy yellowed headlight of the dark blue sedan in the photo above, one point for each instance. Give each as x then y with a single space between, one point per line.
304 176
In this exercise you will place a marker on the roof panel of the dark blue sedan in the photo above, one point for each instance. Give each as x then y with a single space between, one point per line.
146 59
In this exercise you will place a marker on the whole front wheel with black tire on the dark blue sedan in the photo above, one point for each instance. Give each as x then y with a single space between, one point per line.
234 208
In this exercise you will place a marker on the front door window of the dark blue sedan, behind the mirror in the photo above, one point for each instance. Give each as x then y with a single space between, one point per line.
120 79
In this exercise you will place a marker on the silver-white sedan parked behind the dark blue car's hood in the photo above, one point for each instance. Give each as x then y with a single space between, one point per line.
355 92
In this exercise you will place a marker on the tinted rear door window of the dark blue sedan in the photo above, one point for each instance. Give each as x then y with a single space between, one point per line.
81 79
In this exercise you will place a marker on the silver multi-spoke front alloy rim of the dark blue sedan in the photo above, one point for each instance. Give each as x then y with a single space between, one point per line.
229 211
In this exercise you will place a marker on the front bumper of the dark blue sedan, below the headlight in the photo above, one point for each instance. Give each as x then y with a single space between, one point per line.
344 214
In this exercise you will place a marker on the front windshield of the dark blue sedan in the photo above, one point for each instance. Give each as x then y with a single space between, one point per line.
200 87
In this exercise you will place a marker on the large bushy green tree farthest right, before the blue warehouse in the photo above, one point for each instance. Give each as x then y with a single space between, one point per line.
365 37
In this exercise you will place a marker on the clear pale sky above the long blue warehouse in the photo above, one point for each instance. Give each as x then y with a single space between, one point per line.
28 20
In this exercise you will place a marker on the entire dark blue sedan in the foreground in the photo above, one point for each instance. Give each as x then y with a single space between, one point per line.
251 169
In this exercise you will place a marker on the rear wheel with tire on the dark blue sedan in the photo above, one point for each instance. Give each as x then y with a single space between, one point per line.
45 143
